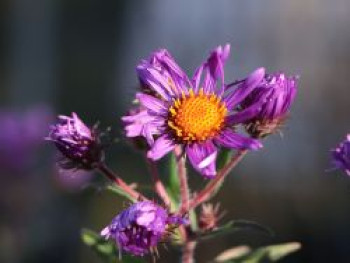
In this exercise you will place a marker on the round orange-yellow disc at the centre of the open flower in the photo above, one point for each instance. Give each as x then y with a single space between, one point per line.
196 117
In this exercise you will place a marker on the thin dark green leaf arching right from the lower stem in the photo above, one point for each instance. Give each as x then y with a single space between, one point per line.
233 226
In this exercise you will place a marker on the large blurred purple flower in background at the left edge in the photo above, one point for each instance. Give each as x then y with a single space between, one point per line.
21 137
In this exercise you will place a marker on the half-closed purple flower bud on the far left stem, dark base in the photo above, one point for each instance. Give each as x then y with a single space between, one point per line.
79 144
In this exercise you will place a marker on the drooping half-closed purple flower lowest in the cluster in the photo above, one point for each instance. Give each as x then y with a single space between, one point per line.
139 228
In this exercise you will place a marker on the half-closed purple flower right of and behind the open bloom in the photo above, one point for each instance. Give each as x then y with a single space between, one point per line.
278 91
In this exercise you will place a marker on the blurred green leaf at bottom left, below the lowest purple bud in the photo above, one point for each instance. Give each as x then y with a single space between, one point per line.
107 250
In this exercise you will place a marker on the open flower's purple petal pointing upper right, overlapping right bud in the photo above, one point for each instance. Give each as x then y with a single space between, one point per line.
244 89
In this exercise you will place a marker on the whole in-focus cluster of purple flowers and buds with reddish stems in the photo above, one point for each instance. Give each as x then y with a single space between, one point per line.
199 116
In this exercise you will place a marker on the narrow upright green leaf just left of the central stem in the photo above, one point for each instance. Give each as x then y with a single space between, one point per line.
173 184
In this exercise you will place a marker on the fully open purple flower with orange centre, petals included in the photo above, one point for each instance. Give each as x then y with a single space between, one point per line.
197 114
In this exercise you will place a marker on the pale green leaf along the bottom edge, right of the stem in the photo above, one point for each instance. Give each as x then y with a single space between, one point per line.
271 253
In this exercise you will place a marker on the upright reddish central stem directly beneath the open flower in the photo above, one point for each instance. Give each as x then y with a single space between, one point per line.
182 173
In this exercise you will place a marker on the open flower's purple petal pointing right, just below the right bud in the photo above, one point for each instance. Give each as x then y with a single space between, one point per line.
230 139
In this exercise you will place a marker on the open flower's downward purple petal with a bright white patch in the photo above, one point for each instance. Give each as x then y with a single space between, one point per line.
203 157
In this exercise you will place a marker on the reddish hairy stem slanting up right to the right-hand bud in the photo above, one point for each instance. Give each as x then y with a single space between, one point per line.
207 192
